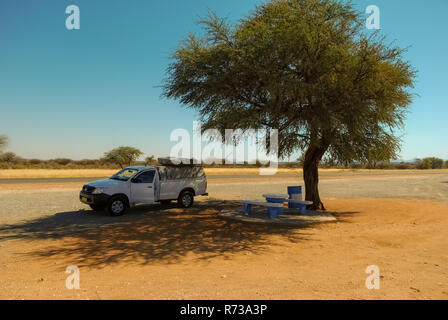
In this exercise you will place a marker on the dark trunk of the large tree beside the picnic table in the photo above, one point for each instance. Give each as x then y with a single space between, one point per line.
311 176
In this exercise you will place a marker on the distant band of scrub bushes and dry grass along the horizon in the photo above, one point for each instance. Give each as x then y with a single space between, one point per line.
127 156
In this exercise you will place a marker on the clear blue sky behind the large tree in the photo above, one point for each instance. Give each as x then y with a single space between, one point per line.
79 93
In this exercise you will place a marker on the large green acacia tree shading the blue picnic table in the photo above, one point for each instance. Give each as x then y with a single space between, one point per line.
305 67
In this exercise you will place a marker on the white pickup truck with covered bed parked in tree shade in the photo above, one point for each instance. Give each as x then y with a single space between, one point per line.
146 185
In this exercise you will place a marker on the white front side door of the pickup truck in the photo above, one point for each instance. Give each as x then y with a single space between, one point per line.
144 187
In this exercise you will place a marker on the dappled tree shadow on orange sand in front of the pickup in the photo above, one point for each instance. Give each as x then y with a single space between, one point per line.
147 234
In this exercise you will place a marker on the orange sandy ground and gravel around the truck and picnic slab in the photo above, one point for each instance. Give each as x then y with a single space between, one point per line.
159 252
